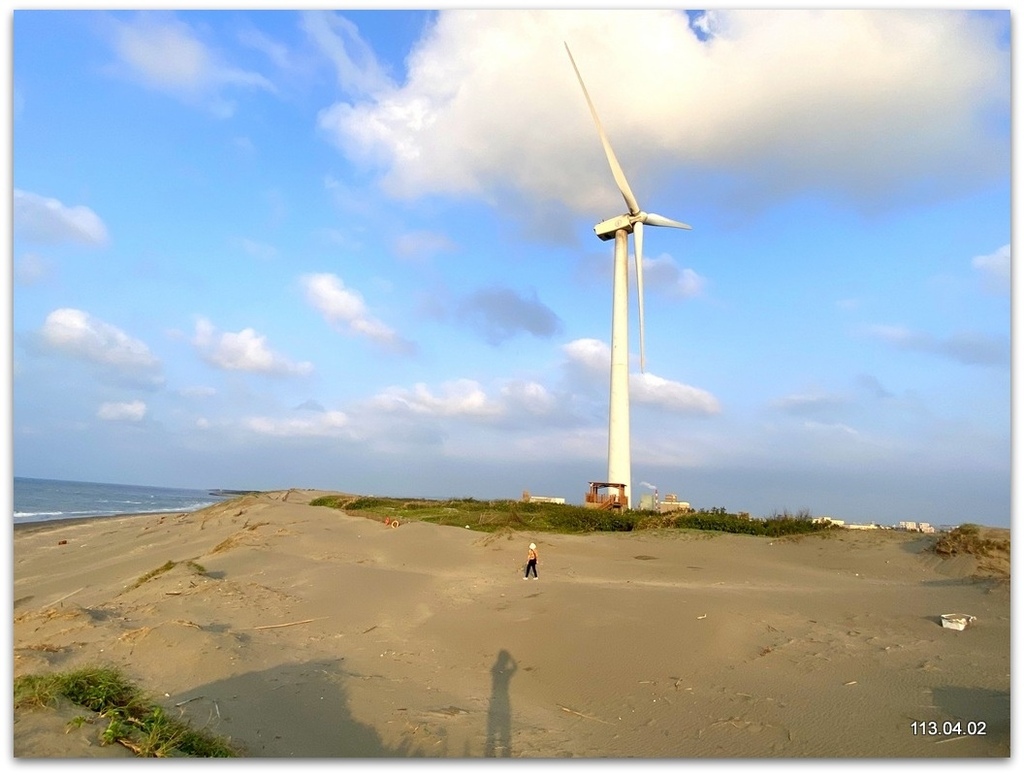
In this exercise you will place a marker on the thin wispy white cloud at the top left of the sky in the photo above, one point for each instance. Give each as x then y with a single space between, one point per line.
166 54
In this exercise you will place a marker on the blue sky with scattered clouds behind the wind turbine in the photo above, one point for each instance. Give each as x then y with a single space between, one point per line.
355 251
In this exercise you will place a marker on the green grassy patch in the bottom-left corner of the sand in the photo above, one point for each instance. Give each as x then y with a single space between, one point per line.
134 720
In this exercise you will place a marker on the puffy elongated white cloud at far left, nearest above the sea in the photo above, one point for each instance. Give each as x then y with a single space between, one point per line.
79 335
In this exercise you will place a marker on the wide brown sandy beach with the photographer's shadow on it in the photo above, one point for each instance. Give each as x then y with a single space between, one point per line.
303 632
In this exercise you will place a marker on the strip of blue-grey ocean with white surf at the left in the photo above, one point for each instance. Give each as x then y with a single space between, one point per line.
44 500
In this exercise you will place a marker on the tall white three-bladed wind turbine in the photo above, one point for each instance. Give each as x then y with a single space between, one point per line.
619 229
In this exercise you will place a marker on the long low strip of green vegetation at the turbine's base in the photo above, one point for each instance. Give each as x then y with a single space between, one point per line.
490 516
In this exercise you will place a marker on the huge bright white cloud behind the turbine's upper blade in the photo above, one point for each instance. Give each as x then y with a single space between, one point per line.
767 102
